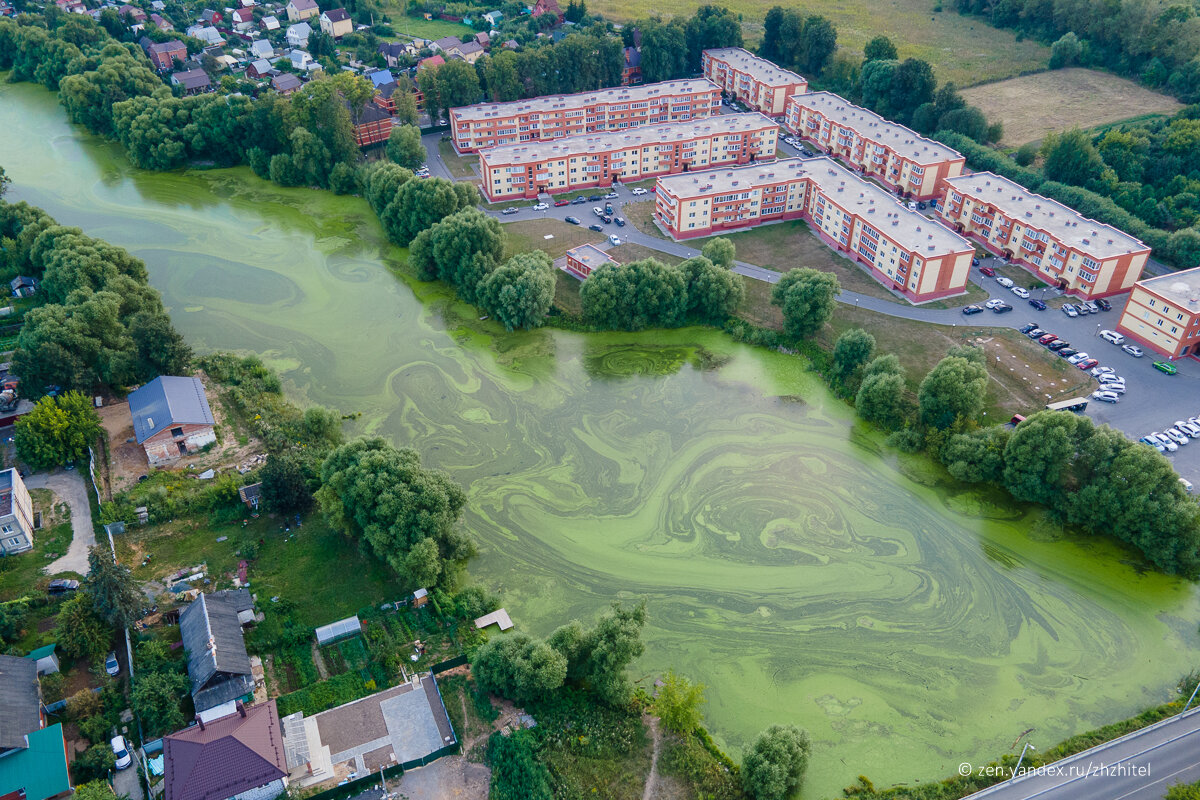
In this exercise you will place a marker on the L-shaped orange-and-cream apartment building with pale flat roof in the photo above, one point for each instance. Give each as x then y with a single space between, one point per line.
902 249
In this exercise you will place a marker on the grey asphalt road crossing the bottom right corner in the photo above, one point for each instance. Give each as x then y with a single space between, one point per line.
1142 766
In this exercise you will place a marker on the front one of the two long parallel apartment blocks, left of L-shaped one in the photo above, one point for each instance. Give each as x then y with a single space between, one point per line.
577 163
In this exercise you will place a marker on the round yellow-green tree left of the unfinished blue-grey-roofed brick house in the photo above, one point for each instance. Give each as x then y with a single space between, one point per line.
57 431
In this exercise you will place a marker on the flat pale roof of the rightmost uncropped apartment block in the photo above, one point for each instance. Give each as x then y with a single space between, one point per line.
1063 222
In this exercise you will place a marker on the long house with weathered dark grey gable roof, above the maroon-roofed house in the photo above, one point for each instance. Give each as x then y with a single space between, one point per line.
218 663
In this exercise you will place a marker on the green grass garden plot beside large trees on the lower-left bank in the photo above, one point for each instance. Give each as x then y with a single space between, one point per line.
314 567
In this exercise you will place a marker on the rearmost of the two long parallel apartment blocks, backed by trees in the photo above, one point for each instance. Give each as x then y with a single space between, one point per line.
490 125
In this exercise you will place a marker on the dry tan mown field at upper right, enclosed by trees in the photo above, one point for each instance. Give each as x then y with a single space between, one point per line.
1034 106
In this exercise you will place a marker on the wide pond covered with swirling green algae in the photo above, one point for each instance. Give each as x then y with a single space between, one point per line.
793 564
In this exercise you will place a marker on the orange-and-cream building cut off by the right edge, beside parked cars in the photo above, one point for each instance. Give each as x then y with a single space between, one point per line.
1163 314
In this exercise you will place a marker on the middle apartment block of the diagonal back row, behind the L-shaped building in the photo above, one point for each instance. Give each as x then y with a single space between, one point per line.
890 153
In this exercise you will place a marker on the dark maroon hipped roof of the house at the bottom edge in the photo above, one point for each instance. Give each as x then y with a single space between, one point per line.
225 757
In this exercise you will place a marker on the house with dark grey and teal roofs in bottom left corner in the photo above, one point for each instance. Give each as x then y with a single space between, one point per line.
33 757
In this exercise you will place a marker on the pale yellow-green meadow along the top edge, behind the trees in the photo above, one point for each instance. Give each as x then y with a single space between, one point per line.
962 50
